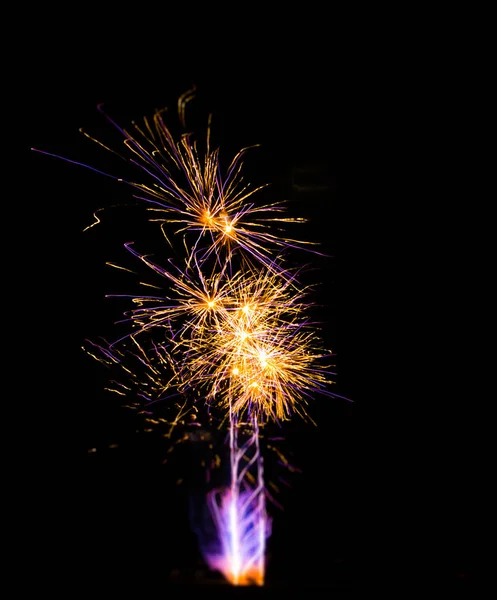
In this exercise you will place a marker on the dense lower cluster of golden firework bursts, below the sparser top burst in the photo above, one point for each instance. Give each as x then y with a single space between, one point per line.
242 339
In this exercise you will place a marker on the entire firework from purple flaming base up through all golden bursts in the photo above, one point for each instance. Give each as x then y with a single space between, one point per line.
233 328
